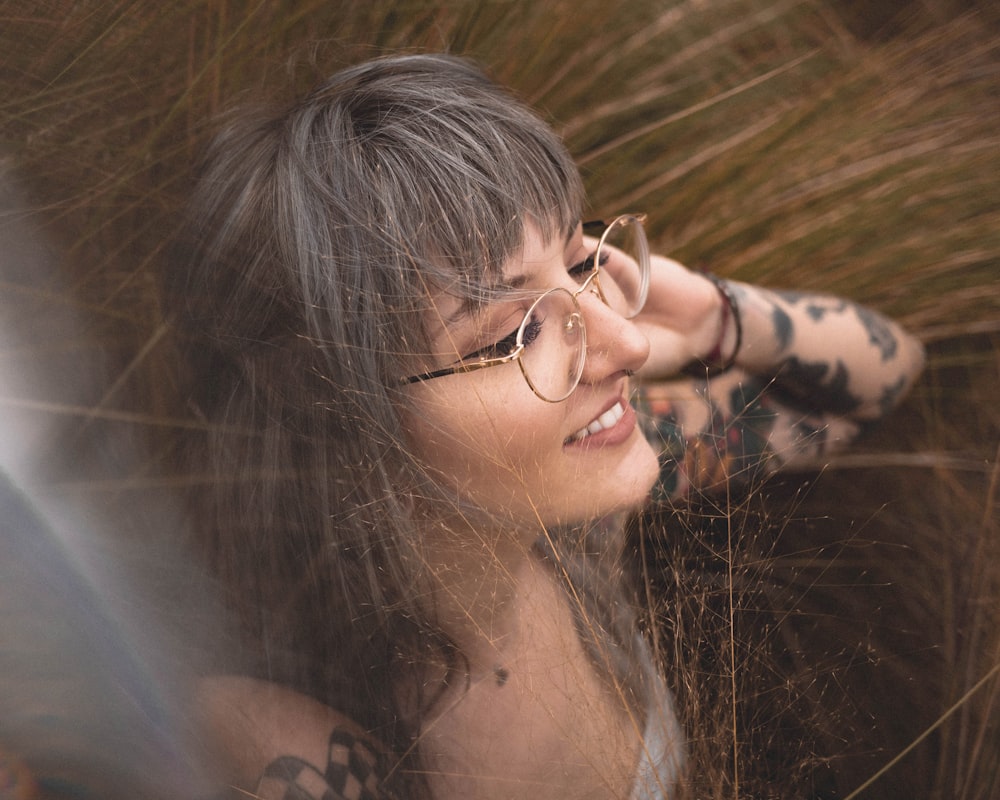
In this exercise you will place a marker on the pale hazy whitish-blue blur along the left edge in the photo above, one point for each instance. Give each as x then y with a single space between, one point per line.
94 676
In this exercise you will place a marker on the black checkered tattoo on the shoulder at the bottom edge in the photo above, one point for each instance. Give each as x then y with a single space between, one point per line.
353 772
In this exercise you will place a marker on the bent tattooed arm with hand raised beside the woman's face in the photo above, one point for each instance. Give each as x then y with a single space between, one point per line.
807 371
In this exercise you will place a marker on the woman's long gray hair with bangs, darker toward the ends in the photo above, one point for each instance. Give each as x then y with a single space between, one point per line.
314 235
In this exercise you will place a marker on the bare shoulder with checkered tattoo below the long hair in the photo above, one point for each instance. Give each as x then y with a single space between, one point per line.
276 743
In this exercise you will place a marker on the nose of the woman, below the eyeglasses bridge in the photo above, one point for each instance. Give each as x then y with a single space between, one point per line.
615 345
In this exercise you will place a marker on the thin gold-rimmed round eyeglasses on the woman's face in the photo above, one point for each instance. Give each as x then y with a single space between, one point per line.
550 344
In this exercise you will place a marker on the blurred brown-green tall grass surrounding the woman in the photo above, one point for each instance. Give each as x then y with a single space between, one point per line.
844 146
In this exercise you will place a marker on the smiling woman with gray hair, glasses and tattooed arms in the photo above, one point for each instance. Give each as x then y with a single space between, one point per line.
417 535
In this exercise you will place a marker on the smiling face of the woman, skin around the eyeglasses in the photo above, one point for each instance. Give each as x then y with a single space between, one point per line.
489 437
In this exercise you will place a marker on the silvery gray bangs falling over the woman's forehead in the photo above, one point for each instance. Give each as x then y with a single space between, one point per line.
452 168
